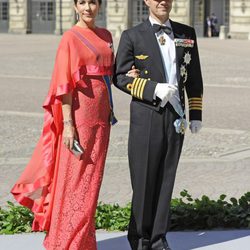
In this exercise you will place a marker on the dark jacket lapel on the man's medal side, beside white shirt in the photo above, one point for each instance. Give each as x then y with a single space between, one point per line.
179 50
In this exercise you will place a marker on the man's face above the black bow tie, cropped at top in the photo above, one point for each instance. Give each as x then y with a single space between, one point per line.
158 8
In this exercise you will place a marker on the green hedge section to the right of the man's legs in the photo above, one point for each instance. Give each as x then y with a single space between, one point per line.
204 213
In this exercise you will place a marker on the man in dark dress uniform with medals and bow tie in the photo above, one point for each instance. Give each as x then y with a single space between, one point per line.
166 55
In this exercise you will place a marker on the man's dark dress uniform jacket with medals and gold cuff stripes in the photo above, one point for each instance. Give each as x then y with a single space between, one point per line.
139 47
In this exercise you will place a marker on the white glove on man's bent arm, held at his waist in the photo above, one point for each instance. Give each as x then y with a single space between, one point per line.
165 92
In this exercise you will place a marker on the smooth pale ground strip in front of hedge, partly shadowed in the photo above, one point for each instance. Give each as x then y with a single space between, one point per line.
198 240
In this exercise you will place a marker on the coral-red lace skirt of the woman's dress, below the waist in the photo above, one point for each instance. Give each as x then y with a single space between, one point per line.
78 182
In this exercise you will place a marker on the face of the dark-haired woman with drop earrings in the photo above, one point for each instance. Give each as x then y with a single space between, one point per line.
88 10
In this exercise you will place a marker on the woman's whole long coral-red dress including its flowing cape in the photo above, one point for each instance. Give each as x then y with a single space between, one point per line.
60 189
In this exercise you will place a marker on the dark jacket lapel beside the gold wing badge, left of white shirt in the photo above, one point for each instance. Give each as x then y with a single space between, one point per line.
152 46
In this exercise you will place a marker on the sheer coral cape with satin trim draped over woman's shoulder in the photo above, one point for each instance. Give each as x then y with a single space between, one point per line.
35 187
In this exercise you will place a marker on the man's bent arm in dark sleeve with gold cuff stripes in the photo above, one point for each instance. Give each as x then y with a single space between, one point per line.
139 88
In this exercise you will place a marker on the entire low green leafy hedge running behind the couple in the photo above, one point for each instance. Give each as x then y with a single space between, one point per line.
186 214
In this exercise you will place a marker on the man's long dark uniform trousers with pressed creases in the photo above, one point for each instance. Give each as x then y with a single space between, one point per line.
154 150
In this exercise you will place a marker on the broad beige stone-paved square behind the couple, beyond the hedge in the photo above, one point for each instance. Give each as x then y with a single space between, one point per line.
213 162
